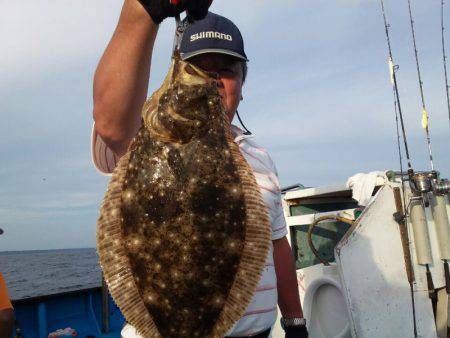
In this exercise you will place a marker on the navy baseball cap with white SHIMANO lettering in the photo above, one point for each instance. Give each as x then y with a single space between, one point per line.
213 34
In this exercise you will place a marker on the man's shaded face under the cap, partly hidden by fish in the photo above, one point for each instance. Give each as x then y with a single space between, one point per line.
230 79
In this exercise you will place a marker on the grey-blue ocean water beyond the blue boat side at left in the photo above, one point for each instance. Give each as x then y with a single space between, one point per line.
36 273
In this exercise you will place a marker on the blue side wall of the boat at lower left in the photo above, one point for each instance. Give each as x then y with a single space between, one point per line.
89 313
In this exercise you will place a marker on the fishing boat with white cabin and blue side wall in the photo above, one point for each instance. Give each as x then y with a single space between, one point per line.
362 271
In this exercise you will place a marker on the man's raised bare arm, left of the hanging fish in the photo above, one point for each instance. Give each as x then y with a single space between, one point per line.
121 78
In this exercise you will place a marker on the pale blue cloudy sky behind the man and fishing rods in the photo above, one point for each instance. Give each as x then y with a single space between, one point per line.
317 97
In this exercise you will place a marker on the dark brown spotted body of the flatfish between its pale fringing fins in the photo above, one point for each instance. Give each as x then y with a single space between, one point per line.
184 219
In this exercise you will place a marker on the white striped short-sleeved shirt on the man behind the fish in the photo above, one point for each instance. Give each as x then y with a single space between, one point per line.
261 313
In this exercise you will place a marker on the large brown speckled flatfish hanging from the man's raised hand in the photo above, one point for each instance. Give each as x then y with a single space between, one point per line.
183 233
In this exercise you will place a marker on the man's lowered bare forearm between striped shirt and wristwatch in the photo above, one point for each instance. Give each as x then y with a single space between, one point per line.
288 297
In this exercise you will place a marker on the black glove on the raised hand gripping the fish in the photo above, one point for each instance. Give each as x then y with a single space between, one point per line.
161 9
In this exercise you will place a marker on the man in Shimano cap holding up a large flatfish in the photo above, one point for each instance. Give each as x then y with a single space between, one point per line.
120 89
